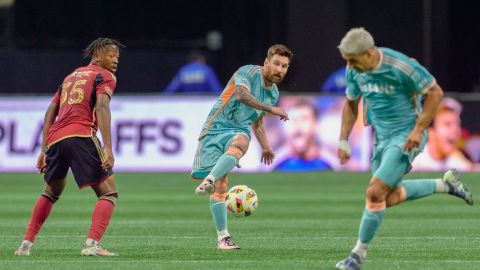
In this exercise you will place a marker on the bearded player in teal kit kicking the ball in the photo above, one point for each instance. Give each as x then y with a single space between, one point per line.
250 94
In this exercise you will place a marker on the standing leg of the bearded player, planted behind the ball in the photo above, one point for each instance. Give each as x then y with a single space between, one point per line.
219 214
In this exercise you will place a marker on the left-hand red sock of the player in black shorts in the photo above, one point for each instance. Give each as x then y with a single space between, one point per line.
40 213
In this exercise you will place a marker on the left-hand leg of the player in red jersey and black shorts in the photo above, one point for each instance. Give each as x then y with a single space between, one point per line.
55 178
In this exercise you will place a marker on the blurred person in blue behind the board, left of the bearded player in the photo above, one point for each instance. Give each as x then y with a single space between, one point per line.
194 77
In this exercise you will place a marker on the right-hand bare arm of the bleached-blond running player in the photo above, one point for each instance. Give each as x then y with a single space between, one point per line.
432 100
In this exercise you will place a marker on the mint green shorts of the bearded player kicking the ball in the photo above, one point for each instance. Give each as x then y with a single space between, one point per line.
210 148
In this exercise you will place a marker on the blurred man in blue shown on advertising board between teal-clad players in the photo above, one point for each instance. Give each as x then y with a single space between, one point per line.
304 150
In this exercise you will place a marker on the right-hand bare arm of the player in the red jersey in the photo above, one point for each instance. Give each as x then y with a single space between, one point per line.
102 108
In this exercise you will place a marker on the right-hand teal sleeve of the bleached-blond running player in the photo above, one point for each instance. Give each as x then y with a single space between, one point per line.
419 80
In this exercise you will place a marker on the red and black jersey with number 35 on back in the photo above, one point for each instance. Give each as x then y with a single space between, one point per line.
76 99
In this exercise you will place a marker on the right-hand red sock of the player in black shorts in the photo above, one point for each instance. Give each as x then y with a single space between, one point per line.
100 219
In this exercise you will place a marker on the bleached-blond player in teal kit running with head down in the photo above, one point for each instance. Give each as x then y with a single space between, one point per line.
392 86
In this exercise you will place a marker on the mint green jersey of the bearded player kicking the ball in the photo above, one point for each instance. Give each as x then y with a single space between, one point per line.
230 114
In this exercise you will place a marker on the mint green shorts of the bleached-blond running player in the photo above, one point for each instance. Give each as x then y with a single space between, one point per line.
390 162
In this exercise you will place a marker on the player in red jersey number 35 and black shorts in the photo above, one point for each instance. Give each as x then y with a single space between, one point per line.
80 106
